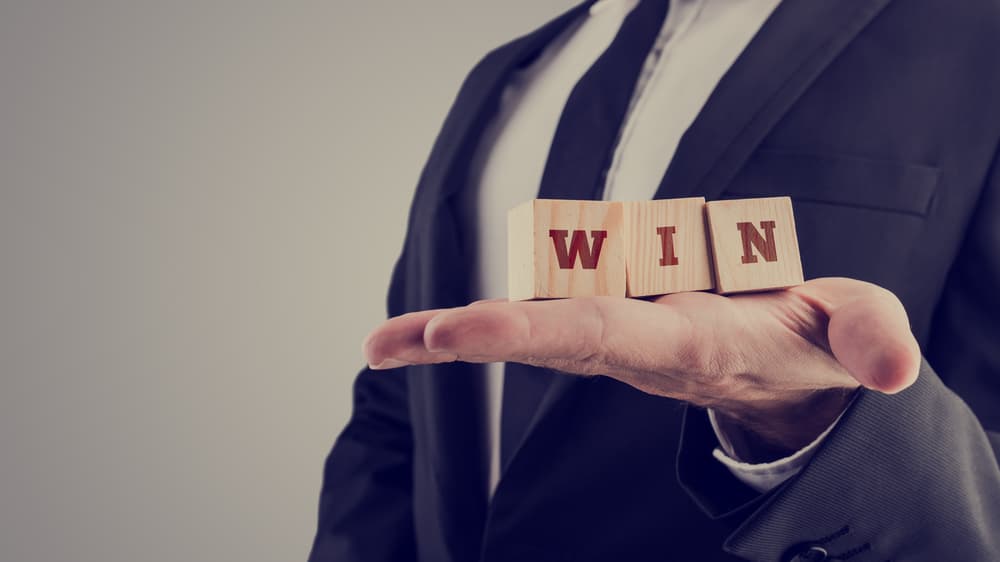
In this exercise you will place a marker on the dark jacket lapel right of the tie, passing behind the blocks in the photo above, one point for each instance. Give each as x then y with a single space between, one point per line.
791 50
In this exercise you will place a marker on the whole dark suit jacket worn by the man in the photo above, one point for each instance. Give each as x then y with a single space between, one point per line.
881 119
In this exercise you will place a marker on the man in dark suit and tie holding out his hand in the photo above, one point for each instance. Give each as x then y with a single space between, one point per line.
853 417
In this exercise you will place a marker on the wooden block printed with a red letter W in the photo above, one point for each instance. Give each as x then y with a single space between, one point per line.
558 248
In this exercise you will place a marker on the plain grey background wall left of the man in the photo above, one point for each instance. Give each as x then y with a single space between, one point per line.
200 203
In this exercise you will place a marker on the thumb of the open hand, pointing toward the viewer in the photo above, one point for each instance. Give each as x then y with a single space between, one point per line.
869 333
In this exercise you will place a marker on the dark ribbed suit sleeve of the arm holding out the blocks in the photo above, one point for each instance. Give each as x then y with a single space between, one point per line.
908 477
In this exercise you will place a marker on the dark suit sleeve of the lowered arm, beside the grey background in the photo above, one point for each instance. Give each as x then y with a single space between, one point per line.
365 506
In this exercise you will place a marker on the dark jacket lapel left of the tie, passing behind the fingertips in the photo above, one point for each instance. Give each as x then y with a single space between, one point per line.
438 271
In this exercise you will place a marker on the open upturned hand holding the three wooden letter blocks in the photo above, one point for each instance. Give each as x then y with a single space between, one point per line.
781 364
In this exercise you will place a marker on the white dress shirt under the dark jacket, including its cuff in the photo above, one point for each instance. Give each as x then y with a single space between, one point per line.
699 41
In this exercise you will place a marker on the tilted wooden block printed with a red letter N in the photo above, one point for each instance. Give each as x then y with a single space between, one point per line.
754 244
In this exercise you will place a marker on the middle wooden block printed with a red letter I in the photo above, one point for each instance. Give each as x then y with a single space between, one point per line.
666 247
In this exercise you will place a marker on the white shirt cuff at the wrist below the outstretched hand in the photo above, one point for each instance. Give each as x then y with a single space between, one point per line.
764 477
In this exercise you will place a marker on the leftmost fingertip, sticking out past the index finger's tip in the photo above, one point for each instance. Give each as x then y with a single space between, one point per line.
399 341
